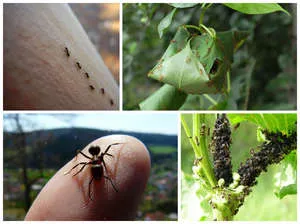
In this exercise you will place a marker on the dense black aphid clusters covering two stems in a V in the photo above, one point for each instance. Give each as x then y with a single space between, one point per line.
273 150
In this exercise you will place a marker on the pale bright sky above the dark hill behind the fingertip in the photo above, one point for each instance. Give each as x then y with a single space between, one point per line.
165 123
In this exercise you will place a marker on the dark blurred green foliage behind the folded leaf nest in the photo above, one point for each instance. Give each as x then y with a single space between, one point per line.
268 85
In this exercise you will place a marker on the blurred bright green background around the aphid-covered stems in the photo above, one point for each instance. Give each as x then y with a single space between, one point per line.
261 204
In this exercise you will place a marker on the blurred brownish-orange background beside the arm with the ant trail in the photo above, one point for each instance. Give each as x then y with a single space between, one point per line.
101 23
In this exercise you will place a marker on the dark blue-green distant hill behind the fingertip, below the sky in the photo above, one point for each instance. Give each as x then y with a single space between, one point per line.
60 145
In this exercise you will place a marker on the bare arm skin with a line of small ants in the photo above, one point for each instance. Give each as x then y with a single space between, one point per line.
50 64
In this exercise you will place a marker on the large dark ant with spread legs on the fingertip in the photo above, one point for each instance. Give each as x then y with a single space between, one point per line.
96 162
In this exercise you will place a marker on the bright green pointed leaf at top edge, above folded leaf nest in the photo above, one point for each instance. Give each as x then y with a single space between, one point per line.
256 8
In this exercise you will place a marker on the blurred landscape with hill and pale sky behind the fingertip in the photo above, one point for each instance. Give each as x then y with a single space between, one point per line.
37 145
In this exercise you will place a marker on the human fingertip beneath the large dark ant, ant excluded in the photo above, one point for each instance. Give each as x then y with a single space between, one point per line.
65 197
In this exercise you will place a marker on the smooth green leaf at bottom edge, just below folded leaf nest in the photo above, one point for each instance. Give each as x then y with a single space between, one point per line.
166 98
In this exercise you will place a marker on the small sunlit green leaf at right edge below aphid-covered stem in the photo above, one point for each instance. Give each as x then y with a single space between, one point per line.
286 179
